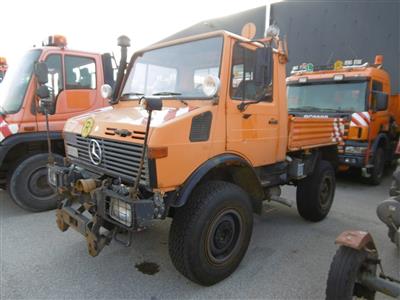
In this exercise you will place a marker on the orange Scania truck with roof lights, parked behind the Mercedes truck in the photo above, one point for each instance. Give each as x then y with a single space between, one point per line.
358 94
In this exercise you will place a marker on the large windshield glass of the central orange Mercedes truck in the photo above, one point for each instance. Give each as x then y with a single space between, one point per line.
175 70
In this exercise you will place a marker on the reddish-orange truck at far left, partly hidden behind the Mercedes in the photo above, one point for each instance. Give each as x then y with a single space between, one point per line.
74 80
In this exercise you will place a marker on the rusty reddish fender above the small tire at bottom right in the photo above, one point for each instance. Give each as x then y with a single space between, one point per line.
356 239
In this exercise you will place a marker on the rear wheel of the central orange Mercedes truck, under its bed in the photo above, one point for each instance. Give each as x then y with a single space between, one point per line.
315 193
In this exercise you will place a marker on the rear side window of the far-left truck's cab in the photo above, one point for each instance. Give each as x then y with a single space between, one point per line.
80 73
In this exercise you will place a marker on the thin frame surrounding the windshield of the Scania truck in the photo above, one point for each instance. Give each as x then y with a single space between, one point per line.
328 81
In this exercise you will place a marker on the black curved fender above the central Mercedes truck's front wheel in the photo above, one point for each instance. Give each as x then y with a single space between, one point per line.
181 196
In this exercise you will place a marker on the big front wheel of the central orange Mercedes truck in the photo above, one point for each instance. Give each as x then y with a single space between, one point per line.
209 236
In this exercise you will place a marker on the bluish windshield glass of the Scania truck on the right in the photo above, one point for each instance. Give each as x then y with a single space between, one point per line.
338 97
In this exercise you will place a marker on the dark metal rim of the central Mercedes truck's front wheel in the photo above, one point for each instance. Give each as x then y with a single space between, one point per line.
223 237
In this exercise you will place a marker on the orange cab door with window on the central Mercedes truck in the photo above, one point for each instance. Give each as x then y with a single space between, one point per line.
254 131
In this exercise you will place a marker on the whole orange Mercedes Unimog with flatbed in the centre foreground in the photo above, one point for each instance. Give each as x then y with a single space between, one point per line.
199 132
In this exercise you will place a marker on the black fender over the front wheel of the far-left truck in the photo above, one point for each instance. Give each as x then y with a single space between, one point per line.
19 138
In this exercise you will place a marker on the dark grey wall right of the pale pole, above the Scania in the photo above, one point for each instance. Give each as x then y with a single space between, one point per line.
322 32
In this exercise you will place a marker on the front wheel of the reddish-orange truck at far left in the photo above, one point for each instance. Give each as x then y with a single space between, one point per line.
28 185
